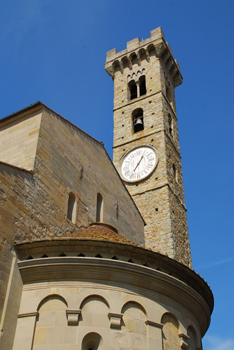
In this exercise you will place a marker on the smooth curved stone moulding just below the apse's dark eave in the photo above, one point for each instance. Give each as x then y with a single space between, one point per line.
142 280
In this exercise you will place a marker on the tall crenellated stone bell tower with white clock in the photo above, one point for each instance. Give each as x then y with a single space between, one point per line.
146 142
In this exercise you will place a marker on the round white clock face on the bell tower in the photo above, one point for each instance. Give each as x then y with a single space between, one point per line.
139 163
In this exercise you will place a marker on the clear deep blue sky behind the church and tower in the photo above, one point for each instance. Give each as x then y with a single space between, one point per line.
54 51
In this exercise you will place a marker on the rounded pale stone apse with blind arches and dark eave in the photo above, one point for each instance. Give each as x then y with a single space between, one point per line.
150 297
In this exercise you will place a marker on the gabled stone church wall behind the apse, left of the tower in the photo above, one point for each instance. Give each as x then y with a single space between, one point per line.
49 158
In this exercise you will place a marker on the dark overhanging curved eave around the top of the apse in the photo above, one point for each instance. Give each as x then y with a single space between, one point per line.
109 251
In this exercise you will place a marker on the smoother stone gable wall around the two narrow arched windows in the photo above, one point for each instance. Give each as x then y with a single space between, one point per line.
68 160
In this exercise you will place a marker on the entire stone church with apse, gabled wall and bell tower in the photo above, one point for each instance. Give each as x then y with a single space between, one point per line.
92 255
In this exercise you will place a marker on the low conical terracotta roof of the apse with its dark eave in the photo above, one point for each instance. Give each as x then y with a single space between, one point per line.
104 237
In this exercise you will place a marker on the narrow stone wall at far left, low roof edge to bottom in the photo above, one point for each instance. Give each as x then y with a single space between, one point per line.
16 186
